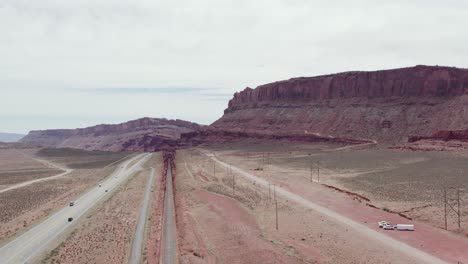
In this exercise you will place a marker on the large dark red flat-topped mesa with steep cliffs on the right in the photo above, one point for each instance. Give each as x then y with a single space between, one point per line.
386 106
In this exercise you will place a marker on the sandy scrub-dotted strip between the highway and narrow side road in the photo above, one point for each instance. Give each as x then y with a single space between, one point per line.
105 235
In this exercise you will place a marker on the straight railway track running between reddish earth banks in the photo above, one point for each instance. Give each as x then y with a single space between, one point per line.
169 226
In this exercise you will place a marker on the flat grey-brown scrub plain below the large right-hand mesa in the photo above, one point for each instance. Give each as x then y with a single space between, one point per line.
403 181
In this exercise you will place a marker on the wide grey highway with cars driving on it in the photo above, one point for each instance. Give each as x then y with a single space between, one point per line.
35 241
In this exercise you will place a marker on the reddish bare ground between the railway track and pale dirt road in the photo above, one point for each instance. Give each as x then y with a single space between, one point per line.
217 224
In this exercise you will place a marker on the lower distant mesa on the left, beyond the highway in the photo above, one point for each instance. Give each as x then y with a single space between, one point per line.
142 134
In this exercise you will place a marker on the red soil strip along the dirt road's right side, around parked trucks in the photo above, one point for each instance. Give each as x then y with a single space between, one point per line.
425 238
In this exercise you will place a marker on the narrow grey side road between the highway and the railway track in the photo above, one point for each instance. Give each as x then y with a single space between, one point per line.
137 242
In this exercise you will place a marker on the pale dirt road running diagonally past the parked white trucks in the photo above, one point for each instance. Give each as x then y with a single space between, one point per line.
372 234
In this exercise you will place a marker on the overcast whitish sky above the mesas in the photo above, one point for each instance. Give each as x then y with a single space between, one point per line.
67 64
